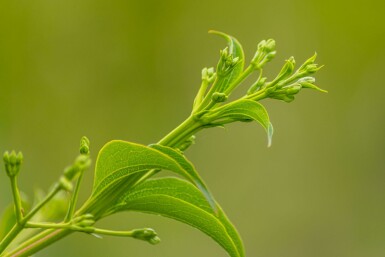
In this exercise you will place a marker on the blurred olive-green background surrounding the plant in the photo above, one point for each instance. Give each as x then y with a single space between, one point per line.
130 70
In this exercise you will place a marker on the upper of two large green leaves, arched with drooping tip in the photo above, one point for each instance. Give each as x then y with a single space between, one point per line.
121 164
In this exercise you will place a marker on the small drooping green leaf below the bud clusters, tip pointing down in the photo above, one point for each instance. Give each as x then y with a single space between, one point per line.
242 110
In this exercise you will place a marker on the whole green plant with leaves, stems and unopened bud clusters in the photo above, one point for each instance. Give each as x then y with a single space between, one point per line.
124 170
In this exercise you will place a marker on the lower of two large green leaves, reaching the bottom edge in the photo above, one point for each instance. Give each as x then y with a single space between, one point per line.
180 200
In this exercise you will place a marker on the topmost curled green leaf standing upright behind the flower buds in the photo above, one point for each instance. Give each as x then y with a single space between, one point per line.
236 52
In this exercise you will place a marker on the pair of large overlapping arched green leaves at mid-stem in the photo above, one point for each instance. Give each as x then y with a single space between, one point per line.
120 165
